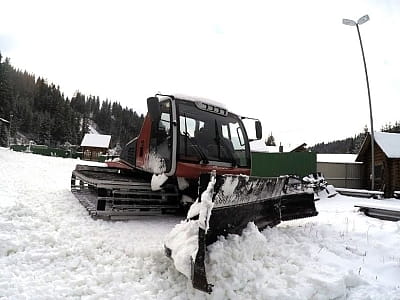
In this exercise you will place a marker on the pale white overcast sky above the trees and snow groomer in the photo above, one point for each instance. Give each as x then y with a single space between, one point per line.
292 64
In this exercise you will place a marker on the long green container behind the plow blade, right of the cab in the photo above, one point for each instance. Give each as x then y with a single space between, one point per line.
286 163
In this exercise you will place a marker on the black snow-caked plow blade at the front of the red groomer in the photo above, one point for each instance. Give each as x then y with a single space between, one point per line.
236 201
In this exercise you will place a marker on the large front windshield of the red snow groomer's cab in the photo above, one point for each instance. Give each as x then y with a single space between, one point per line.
211 137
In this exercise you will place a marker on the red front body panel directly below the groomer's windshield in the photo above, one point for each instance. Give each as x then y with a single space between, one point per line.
189 170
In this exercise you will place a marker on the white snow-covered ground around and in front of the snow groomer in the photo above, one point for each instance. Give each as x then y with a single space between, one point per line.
51 249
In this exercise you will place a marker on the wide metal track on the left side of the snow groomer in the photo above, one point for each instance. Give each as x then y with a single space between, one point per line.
110 195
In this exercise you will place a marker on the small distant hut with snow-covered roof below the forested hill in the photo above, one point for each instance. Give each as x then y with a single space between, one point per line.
94 145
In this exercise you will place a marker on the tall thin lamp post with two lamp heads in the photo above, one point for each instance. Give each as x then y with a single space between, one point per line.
361 21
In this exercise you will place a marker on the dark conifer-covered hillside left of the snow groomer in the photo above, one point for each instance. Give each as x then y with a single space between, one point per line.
40 111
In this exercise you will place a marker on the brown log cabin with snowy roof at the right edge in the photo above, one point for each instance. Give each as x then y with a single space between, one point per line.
386 162
